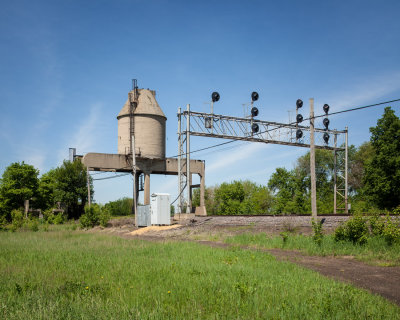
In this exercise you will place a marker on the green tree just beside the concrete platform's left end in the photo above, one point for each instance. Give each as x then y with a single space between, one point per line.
71 187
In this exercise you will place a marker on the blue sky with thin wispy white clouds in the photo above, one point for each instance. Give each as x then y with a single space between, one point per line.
66 68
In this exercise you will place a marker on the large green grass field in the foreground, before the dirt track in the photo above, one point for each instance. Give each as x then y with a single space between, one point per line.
64 274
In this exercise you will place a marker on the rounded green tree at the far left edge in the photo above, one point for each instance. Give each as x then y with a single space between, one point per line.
19 182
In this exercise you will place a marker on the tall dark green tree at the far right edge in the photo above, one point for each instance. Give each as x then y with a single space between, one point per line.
382 173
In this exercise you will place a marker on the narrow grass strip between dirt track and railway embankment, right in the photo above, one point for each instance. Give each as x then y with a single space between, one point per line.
375 251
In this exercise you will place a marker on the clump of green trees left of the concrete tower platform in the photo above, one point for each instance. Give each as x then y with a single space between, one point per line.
65 185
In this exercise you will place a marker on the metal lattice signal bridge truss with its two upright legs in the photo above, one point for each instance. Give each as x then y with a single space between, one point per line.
191 123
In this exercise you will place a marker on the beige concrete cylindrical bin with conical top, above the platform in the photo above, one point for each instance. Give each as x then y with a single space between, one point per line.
148 126
